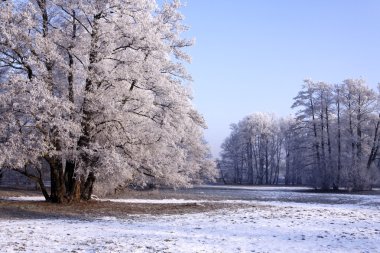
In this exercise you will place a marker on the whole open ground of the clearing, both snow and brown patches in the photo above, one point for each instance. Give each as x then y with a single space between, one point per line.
208 224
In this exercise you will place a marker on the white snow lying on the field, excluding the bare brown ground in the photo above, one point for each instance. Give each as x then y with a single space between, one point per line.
258 226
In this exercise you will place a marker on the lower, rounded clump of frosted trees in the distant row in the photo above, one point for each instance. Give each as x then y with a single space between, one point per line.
253 151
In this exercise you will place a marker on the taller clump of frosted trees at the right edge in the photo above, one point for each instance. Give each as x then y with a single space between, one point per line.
340 123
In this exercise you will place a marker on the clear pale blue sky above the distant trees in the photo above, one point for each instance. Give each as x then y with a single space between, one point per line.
252 55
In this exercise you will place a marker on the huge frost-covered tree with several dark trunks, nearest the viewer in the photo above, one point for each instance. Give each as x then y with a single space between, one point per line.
95 90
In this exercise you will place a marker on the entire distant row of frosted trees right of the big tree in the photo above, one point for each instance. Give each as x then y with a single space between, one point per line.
332 142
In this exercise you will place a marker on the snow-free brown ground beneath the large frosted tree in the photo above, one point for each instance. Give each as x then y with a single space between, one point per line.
93 208
